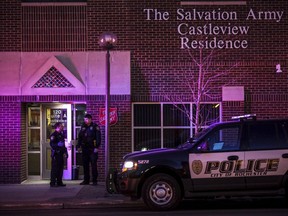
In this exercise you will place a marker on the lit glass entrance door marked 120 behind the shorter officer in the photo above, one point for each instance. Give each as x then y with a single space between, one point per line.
56 113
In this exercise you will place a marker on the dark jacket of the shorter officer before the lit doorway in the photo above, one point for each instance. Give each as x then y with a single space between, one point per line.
57 143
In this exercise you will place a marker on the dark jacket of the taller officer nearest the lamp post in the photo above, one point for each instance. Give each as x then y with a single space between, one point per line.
89 136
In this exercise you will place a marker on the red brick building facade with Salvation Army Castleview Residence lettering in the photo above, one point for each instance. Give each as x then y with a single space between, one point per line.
160 37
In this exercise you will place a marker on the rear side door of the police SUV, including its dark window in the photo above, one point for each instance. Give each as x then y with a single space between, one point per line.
267 154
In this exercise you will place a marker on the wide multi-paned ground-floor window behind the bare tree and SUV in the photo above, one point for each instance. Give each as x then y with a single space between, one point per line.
163 125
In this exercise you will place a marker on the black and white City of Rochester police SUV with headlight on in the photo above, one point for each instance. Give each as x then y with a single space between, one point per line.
244 157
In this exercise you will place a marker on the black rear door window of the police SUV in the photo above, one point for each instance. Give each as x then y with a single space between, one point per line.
262 135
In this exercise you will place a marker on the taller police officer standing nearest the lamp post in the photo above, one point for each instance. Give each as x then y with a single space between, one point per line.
89 140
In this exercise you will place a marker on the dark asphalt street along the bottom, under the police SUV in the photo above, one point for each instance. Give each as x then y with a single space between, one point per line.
235 207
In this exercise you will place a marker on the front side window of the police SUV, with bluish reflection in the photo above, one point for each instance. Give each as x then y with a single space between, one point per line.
224 139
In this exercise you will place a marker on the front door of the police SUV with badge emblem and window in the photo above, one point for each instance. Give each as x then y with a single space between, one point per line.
217 160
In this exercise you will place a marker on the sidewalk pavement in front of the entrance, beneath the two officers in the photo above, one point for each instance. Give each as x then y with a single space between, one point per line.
39 194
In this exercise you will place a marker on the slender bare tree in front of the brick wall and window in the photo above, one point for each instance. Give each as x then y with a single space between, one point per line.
203 80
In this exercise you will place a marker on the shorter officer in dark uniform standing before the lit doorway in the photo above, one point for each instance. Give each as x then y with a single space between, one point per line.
58 152
